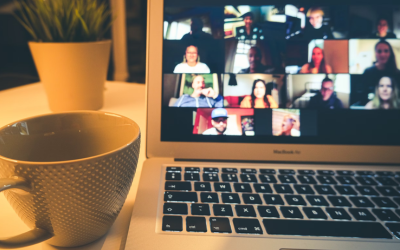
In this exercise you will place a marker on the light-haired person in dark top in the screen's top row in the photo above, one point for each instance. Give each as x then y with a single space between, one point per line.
315 29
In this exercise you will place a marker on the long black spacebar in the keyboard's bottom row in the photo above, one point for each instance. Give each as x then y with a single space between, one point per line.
327 228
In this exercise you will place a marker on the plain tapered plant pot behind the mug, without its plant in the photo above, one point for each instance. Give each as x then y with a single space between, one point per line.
73 74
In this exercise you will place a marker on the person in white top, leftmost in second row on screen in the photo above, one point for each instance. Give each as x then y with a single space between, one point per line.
191 62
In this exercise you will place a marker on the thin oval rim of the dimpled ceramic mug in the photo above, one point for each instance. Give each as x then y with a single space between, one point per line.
136 137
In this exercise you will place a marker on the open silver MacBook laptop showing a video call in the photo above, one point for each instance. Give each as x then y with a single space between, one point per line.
271 125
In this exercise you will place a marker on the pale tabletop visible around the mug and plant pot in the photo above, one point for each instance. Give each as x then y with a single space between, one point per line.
127 99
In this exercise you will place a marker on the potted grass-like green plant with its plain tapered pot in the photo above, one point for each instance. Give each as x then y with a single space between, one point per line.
69 49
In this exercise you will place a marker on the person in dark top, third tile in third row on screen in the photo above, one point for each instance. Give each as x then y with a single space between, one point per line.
325 99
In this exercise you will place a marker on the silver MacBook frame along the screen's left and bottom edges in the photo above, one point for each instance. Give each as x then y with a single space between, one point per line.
234 151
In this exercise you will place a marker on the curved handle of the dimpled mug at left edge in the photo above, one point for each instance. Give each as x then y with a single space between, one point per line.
31 237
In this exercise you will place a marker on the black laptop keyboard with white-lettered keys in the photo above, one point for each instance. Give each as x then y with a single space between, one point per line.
324 203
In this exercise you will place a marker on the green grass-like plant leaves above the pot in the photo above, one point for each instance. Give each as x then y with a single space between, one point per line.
65 20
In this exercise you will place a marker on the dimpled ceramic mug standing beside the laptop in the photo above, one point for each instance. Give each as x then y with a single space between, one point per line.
67 175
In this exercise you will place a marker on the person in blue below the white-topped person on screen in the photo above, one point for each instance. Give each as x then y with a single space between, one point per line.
201 97
